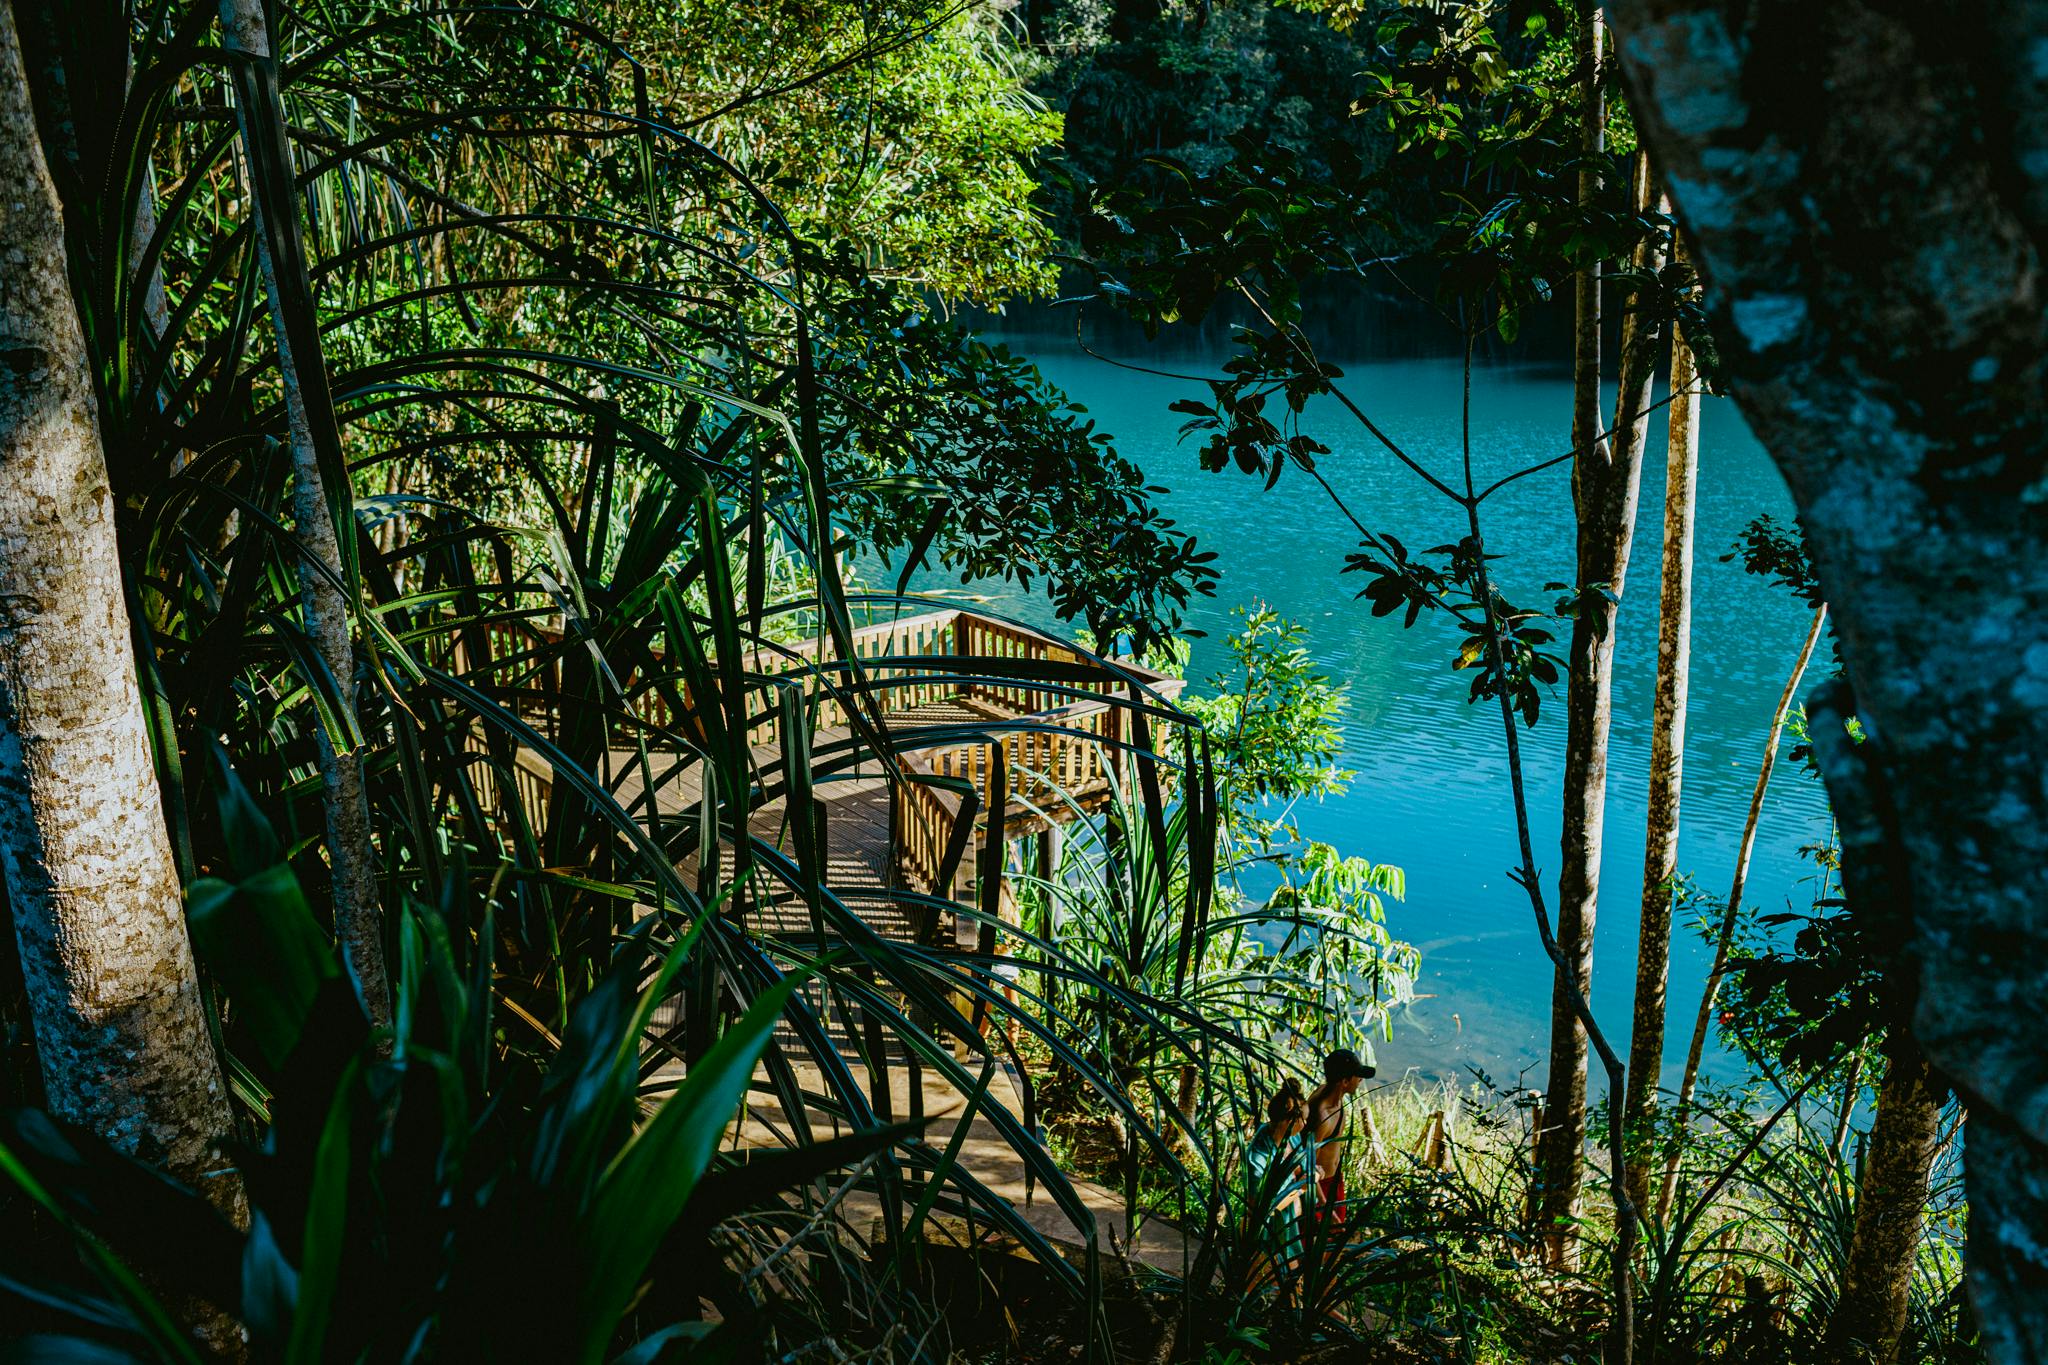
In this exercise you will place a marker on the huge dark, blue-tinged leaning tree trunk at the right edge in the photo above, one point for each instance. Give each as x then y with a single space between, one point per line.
1867 191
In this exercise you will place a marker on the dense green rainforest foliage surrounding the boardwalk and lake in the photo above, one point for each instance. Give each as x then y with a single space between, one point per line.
613 347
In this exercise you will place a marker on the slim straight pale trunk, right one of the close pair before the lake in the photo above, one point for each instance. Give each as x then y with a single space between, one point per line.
1668 764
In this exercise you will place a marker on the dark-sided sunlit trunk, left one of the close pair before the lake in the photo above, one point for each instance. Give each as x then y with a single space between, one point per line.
1607 484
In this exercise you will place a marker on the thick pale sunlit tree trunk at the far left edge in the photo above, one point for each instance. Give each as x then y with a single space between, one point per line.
83 844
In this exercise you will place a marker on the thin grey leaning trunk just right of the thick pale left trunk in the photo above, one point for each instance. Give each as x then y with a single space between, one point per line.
325 607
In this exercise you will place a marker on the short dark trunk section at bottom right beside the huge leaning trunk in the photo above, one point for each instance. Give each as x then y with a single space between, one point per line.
1871 1317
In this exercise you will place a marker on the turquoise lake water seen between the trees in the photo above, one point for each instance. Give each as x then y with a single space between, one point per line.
1431 791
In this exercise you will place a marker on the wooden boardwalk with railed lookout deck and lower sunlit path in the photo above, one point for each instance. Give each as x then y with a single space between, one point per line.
916 818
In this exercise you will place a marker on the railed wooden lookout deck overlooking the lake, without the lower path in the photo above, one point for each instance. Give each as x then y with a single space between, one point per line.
962 746
